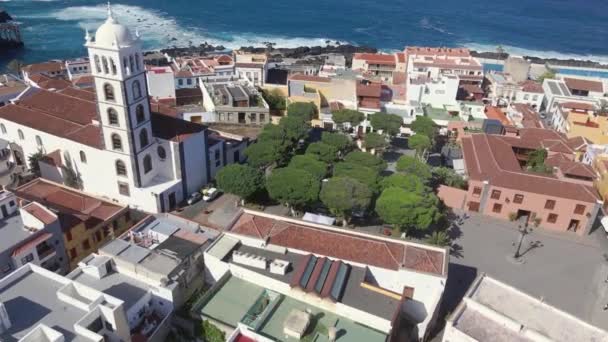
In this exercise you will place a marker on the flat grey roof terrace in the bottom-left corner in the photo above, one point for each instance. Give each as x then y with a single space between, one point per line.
31 299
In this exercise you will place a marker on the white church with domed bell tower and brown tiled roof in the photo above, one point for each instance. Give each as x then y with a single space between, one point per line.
110 140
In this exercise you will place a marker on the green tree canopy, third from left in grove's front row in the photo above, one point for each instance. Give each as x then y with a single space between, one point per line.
344 195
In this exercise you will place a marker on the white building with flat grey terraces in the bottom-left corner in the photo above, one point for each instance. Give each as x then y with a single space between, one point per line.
94 302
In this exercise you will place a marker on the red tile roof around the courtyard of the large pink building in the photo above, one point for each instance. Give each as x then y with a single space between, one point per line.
491 158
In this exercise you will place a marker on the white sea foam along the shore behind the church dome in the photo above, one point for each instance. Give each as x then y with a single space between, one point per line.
159 30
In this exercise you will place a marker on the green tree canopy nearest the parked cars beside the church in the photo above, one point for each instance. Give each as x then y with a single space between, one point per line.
241 180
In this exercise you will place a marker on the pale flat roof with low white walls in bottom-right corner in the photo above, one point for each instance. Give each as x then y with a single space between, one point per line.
497 311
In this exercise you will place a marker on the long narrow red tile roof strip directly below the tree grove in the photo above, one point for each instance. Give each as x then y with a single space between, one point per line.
342 245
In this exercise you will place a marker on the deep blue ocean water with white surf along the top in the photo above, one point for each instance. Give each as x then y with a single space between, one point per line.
544 28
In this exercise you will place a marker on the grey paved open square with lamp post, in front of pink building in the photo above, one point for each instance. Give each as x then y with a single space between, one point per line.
567 271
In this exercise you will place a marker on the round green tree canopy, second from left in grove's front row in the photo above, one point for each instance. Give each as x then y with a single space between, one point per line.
293 187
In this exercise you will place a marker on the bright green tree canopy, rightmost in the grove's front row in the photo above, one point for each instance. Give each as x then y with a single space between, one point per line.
408 210
